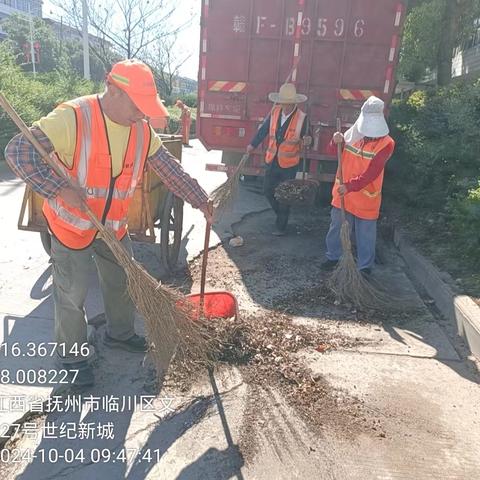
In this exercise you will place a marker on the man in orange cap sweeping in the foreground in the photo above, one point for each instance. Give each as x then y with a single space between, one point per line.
103 143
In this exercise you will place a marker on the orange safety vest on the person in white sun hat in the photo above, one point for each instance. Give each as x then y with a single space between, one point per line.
355 160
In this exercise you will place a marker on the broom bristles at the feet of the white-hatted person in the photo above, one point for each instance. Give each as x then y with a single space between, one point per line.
349 285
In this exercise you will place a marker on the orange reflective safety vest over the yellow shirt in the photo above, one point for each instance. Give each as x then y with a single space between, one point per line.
108 197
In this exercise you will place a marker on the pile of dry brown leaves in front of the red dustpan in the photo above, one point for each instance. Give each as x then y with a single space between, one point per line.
264 347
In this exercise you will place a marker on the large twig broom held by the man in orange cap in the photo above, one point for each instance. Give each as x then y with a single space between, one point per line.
169 327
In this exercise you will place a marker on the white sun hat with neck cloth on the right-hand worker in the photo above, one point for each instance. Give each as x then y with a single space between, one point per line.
370 123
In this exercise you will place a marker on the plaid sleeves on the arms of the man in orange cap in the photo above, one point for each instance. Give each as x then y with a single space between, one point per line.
27 164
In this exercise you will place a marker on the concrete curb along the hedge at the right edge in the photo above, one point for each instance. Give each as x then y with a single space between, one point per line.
457 308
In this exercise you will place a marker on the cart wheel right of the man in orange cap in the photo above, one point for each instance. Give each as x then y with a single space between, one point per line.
171 230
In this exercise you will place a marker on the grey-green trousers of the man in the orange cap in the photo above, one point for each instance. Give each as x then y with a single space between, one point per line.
71 278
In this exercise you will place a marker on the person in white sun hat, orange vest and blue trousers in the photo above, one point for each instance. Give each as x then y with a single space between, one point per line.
367 148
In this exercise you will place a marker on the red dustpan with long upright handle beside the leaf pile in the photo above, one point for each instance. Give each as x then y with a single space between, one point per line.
211 304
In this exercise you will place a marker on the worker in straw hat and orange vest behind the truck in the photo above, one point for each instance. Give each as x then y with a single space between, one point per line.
286 129
